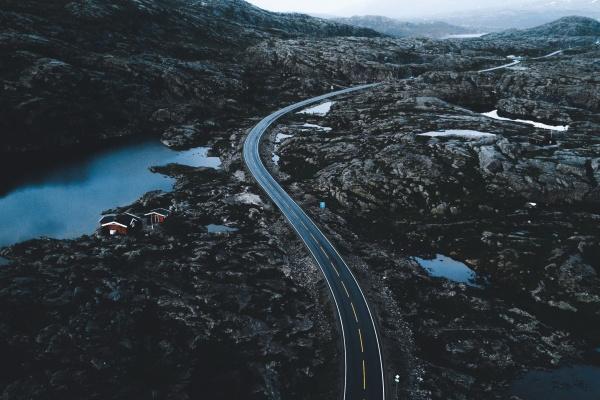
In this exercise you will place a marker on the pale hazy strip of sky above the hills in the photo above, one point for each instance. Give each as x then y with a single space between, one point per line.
395 8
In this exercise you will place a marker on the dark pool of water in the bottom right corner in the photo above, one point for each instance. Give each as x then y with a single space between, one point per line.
577 382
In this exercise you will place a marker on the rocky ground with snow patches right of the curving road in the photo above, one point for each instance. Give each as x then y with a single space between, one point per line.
523 216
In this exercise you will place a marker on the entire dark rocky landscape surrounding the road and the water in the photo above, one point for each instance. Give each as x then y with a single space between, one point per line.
179 312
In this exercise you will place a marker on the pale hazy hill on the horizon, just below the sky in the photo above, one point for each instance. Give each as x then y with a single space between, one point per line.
399 29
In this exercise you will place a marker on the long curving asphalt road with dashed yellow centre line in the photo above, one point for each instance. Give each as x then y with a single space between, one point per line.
363 371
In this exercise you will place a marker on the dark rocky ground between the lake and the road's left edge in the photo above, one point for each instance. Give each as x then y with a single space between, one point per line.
175 312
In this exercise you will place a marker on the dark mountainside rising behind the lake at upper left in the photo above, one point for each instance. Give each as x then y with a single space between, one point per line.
80 71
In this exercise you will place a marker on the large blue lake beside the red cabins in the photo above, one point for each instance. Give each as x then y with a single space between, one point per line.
66 201
